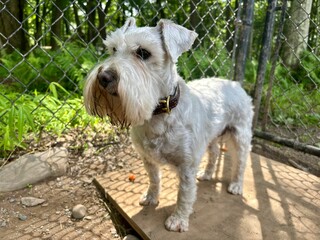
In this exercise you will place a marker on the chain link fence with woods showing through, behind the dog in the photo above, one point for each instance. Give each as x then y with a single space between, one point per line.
48 47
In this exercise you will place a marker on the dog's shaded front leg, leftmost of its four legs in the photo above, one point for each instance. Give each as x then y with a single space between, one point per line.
151 197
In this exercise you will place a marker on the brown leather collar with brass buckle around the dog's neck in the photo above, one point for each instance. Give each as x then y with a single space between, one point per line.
166 104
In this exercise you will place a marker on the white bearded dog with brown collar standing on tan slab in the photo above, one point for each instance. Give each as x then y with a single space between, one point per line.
172 122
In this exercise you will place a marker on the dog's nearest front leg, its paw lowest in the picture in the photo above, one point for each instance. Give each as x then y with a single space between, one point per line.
179 219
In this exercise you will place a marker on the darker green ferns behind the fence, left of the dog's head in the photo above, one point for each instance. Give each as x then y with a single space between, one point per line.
37 70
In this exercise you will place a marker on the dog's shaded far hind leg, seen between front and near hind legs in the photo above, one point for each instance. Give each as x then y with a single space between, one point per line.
213 150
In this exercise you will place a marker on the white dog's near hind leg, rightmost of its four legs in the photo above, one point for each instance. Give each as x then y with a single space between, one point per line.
241 141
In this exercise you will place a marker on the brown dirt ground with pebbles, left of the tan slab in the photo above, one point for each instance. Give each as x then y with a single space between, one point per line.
91 153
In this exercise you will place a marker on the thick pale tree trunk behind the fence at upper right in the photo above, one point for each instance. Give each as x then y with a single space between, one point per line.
296 32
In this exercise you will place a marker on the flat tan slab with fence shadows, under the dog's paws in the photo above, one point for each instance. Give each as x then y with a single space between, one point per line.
279 202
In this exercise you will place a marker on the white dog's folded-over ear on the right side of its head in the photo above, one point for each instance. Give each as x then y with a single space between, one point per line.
177 39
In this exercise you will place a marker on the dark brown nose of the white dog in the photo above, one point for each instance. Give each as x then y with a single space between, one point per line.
108 79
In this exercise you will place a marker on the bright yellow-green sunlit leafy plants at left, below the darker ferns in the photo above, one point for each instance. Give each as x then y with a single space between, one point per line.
23 114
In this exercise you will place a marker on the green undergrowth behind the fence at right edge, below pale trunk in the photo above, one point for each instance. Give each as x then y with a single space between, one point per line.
295 97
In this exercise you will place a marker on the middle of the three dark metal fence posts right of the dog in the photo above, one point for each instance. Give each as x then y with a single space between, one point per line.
263 59
